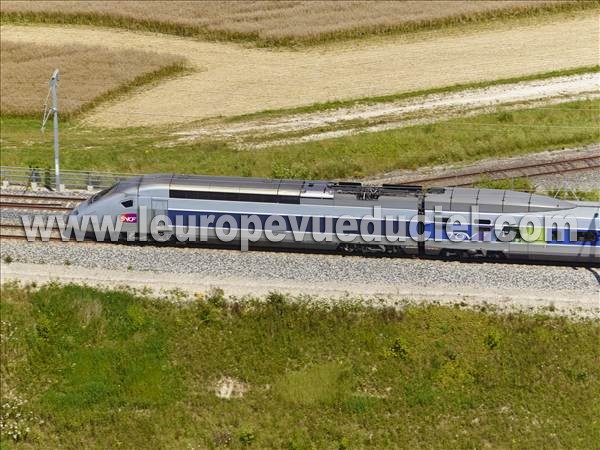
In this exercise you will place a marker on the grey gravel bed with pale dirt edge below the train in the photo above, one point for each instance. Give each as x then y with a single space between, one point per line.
332 276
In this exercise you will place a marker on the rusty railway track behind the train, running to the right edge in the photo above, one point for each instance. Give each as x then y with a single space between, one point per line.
566 165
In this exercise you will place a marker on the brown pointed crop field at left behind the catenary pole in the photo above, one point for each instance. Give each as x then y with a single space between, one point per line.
87 74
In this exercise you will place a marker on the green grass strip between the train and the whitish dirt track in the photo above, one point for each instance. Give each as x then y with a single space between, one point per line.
142 150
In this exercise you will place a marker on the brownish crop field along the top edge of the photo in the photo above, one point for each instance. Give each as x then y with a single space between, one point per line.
272 23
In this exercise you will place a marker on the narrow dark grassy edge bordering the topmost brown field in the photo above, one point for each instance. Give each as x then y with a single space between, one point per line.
255 38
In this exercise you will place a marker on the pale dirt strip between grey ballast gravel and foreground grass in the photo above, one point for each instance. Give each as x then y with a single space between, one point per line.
567 302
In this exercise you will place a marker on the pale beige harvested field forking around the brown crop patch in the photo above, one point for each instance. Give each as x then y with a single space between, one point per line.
233 80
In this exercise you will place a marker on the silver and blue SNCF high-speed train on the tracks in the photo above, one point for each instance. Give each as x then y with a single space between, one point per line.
352 217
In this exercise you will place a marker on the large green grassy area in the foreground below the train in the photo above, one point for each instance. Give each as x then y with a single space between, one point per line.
106 369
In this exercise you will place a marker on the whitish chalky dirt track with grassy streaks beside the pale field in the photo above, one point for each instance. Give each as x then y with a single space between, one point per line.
314 126
